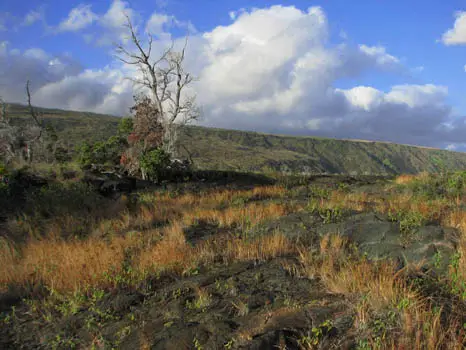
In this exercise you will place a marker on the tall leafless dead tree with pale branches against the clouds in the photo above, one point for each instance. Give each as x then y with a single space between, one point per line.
166 80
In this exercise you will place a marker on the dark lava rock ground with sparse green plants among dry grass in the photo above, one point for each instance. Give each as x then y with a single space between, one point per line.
250 303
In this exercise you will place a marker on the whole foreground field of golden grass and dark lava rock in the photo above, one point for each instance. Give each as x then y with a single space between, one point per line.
305 263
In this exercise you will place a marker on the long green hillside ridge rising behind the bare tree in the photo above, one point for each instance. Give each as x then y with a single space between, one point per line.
249 151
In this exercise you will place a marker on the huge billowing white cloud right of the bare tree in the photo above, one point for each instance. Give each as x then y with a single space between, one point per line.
275 70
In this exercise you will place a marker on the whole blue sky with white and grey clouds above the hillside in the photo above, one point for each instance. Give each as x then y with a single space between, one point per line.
367 69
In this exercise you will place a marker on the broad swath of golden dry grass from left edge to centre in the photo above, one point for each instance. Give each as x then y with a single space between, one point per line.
67 265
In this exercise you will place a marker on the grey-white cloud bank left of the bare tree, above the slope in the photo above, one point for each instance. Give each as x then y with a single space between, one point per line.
61 82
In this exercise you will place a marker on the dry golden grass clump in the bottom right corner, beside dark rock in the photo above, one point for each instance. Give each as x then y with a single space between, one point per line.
375 290
